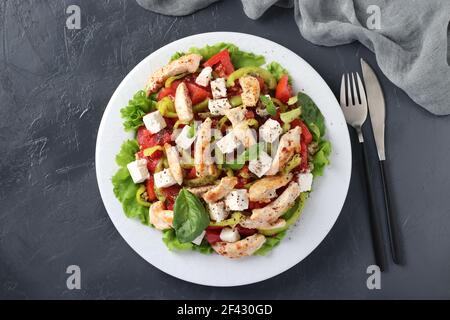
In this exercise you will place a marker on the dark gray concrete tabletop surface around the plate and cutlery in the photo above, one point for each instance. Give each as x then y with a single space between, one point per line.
54 87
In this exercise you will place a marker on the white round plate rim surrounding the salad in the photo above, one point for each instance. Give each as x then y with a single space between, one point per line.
322 208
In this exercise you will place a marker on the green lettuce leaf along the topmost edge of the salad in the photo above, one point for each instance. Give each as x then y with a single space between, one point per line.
239 58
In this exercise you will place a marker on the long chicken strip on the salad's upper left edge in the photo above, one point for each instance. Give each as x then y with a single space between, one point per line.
188 63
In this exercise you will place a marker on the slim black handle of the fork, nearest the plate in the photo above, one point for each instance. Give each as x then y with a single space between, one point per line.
375 226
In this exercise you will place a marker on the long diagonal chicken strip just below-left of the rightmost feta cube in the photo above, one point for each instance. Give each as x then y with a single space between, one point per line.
276 209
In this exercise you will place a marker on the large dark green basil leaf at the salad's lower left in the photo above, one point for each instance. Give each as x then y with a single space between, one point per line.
190 217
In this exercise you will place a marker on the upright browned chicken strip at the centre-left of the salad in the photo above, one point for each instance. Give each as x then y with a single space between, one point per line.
203 161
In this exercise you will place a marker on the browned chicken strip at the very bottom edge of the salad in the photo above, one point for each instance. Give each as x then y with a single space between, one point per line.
241 248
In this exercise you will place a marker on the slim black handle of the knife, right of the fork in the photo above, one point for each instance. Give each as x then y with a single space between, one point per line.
391 225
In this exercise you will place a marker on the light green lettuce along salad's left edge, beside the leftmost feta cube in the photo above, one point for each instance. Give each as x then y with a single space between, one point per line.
123 186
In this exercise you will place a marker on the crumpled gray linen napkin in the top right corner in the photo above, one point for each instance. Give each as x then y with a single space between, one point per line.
411 38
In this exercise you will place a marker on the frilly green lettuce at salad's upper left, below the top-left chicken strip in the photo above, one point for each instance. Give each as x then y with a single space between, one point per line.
136 109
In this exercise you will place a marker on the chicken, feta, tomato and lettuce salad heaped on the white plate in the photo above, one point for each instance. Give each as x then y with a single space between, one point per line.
224 155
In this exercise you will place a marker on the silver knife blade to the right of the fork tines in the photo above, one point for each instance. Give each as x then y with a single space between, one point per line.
377 108
